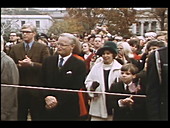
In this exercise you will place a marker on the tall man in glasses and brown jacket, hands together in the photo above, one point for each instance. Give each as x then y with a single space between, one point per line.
29 56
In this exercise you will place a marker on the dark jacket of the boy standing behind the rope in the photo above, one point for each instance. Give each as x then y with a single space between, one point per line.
135 112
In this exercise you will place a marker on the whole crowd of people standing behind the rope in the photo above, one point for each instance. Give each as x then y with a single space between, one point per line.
99 63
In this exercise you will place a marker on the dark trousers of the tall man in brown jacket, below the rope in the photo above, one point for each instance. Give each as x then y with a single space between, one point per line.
32 100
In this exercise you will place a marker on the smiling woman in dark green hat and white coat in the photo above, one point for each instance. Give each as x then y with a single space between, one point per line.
99 79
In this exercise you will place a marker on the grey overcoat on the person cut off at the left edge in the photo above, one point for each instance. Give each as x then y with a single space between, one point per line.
9 101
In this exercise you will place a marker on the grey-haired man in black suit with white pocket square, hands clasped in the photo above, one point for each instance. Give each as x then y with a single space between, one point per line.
61 105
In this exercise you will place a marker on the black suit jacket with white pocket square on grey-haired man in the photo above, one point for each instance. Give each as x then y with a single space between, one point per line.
70 76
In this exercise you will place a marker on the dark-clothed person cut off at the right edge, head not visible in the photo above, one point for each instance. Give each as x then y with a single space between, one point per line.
157 85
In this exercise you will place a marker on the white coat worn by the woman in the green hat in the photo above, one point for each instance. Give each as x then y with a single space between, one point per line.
98 104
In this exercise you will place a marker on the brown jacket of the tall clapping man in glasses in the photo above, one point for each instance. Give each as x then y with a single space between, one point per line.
30 75
